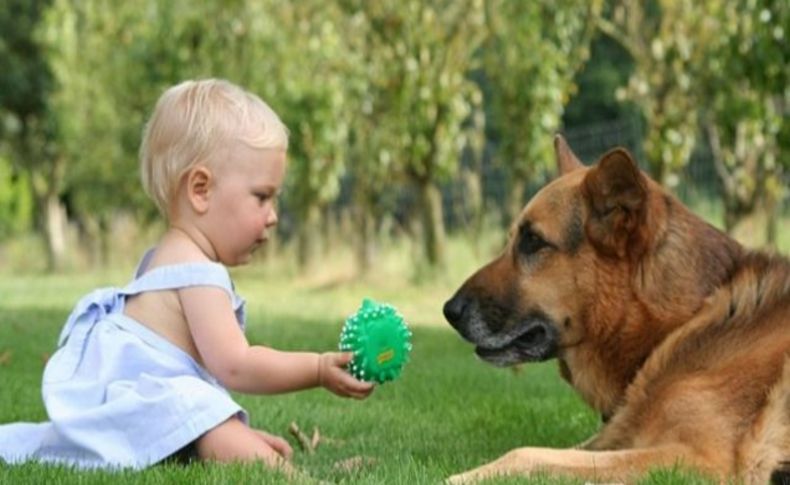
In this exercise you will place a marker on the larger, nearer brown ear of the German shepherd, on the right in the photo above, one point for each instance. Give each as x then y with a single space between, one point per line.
616 194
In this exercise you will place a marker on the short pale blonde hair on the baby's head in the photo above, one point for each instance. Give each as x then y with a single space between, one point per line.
191 121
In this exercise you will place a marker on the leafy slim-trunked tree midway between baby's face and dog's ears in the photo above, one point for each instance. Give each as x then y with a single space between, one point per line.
418 56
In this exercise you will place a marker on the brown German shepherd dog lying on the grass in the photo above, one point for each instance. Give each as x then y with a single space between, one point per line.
674 333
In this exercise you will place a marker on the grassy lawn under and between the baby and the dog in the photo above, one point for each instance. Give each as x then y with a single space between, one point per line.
449 411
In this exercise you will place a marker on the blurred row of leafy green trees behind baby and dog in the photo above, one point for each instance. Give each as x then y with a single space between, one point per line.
418 128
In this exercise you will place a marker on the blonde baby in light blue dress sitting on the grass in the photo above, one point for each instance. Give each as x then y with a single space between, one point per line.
141 372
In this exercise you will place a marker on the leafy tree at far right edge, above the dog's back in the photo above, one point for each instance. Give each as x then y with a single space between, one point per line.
744 95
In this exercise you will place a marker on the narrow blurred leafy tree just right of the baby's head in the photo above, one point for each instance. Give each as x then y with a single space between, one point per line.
308 84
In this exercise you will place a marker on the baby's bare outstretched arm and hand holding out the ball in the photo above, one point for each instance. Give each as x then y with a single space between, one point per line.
257 369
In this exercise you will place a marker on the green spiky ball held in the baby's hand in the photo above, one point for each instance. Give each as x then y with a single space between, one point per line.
380 341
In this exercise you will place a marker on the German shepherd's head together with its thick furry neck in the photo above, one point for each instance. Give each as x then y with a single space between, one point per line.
599 267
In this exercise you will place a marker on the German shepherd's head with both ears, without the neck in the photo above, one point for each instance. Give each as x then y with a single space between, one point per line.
534 300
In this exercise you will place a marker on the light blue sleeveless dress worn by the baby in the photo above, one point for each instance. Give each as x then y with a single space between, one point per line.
118 394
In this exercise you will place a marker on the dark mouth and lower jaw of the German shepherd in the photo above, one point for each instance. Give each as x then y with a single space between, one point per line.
536 339
